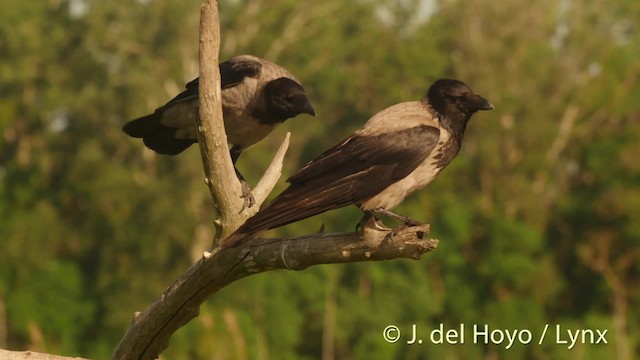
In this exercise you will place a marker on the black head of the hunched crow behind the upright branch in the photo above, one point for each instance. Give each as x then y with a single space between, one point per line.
285 98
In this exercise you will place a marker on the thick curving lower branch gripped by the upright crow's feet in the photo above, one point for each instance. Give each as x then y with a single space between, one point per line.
151 330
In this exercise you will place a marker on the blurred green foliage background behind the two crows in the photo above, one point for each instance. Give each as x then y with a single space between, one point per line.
537 217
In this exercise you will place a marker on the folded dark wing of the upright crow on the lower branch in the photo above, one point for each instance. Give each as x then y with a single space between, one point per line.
352 171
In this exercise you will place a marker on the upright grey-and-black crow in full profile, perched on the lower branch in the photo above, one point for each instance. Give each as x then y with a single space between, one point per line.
398 151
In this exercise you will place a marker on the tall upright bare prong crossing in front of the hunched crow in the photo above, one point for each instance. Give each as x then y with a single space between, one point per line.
219 172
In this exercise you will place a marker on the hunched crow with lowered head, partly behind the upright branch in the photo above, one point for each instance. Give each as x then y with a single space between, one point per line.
257 96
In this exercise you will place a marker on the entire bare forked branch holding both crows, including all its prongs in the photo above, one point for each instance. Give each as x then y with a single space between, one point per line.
151 329
